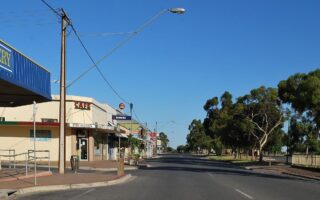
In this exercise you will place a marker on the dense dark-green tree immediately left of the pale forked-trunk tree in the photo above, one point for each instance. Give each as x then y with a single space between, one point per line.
226 125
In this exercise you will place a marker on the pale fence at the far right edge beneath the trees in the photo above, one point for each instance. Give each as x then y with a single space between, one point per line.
306 160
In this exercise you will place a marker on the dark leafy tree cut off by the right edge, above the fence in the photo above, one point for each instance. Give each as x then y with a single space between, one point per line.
302 92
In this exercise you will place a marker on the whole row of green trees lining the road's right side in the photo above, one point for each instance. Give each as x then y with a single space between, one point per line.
255 120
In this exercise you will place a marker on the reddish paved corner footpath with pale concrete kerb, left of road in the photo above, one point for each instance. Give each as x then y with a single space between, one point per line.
90 174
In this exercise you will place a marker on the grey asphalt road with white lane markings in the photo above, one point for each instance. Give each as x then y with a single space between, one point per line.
185 177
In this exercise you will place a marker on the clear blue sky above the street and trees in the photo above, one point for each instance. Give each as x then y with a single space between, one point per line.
171 68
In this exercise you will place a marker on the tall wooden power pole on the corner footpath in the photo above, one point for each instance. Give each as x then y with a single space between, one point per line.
65 22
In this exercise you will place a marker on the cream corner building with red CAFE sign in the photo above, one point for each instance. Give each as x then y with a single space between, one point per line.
91 133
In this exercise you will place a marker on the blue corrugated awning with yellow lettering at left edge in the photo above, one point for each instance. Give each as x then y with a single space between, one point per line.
22 80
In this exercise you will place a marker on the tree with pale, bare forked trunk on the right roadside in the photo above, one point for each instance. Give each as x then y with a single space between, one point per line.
262 109
